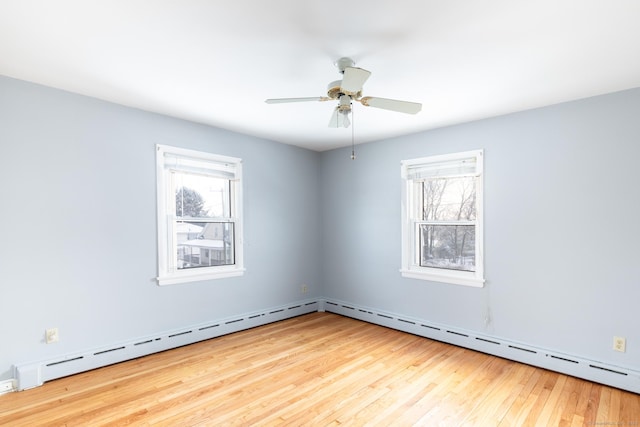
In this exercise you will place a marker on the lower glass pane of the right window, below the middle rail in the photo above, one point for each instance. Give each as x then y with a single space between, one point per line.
448 246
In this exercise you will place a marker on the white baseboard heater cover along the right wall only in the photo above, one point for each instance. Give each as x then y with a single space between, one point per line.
614 376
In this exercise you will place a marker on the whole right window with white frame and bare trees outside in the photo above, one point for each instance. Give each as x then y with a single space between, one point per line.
442 218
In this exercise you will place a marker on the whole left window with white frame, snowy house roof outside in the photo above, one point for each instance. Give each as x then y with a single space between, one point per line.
199 215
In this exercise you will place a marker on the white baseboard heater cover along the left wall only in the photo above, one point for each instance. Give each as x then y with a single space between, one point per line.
34 374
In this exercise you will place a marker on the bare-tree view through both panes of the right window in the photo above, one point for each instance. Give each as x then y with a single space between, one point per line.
447 229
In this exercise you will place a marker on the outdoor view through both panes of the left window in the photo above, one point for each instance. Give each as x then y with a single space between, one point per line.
203 237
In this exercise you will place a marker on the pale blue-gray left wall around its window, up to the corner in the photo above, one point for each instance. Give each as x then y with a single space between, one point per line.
78 224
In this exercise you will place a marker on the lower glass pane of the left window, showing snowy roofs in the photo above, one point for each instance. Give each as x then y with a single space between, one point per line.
204 244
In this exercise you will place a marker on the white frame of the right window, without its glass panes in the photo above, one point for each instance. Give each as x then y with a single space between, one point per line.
411 216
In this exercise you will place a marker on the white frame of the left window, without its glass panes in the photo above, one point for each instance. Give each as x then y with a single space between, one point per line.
168 273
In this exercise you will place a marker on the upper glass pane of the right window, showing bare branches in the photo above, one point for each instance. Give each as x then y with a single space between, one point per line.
449 199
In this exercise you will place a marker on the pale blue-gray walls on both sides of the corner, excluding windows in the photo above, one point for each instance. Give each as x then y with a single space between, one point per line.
78 228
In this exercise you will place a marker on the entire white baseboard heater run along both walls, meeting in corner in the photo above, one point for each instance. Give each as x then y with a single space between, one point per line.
34 374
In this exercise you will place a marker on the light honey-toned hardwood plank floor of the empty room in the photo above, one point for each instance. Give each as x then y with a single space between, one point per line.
320 369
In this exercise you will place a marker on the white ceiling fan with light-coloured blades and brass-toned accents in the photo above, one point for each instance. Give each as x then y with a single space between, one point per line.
350 89
